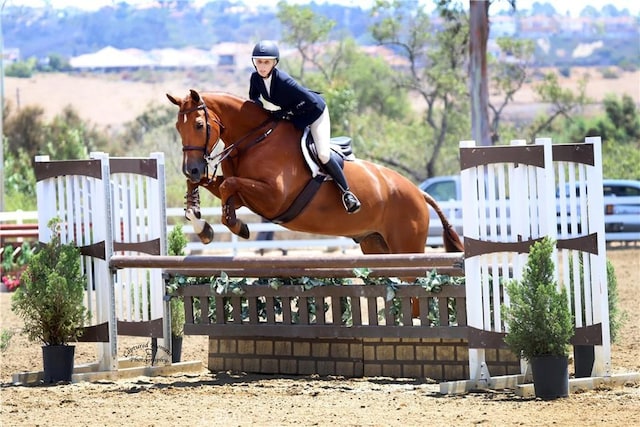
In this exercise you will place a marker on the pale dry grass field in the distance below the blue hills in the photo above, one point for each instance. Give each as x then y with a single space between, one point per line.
111 100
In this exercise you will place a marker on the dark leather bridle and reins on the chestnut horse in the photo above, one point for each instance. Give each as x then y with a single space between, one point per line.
208 157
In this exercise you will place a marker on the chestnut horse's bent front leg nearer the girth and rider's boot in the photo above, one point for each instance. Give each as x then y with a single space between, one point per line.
234 192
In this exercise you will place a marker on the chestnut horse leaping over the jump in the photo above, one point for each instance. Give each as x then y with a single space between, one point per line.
264 169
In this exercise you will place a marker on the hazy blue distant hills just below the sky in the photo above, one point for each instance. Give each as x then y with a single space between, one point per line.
42 32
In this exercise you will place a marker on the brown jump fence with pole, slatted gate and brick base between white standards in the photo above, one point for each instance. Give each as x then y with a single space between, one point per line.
353 330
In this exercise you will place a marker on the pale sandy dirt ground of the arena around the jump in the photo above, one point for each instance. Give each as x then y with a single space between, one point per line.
239 399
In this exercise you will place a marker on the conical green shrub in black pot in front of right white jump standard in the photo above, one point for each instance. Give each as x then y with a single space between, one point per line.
540 323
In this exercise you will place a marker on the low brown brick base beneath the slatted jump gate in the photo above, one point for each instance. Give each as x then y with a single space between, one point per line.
438 359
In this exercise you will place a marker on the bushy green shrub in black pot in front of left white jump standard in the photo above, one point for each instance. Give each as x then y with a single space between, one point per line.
50 301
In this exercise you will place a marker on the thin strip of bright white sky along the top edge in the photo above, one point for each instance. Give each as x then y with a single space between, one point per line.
572 6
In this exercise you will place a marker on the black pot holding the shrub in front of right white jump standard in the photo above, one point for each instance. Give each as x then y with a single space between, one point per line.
550 376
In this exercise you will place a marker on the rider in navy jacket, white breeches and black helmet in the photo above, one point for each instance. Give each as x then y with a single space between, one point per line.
300 105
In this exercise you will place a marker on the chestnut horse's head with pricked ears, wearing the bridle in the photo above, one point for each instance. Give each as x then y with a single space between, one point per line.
200 131
